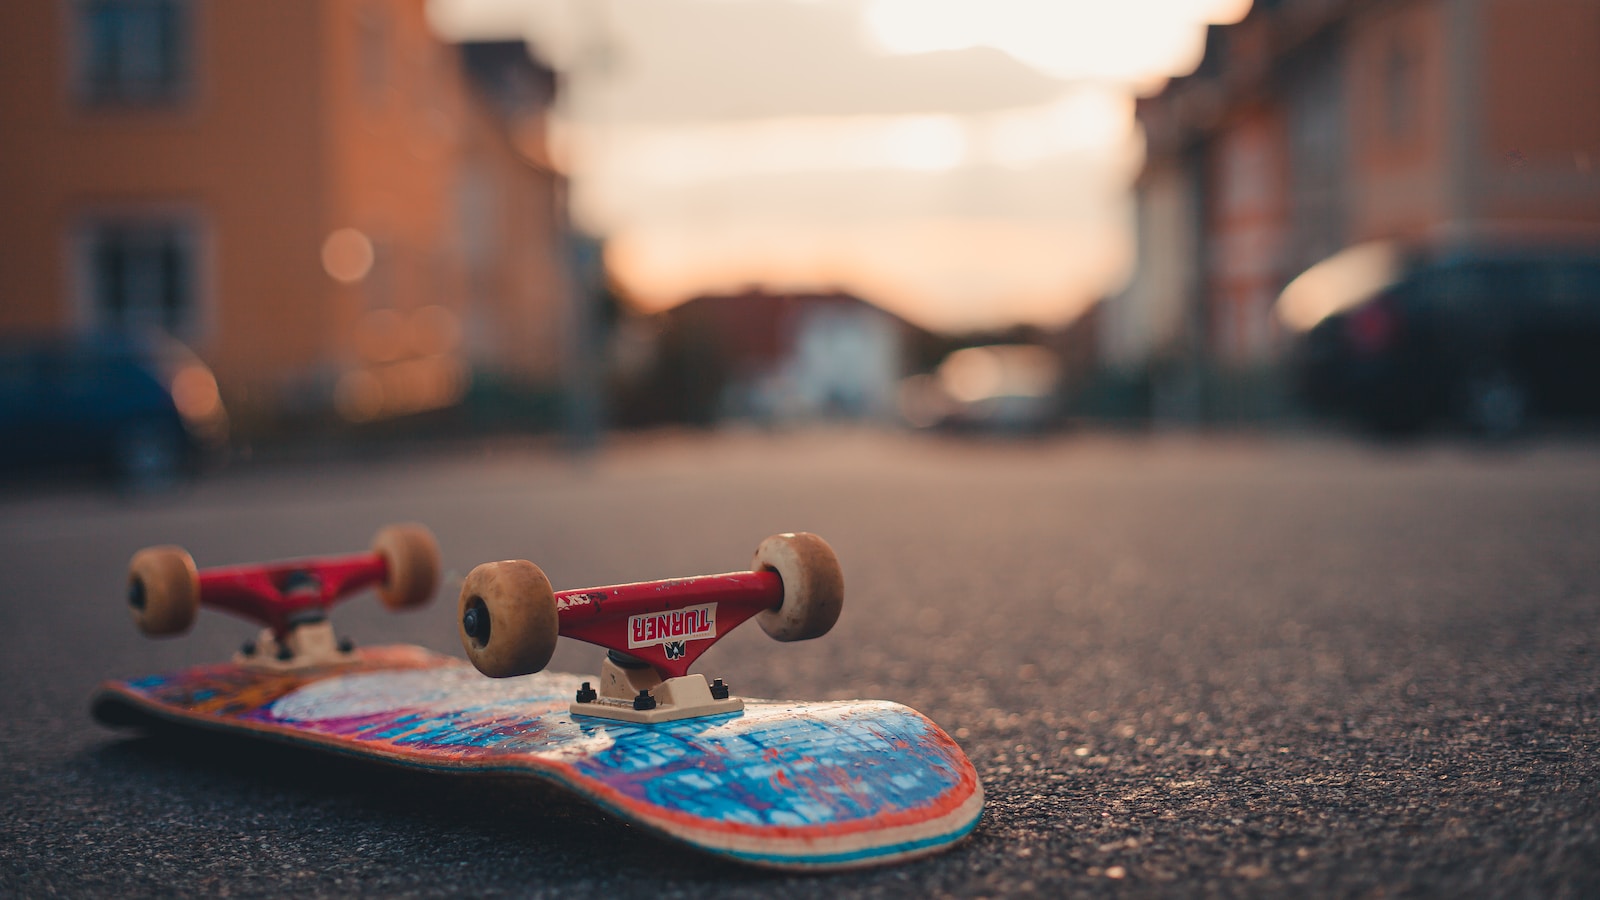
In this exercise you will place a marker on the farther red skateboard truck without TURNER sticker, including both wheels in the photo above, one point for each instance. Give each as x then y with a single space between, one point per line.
290 600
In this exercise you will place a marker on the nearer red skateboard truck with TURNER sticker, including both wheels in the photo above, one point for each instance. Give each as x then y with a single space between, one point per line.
654 630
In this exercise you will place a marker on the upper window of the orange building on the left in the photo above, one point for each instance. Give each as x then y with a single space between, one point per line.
135 52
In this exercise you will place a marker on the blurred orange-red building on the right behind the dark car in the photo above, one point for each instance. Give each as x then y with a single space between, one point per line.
1321 124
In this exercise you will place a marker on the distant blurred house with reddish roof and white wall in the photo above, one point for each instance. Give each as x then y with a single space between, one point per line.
767 358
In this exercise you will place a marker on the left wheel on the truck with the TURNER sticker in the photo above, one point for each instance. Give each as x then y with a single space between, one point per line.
508 619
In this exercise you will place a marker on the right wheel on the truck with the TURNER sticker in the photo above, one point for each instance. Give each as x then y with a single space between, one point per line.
814 587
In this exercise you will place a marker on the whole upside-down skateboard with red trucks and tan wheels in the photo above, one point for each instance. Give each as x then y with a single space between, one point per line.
796 785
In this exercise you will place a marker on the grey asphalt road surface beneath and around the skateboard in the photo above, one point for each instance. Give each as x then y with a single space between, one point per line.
1182 667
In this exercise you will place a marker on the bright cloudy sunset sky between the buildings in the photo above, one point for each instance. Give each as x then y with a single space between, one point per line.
966 164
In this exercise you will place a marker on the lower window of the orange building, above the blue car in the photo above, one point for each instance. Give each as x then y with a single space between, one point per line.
142 275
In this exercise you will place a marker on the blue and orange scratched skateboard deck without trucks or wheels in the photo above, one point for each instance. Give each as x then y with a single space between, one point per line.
794 785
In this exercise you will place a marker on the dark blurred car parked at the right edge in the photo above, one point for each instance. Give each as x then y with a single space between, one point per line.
1482 340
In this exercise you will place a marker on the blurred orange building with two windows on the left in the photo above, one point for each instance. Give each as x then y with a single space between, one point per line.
334 207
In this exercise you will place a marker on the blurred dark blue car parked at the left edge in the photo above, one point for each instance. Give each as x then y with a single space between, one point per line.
145 411
